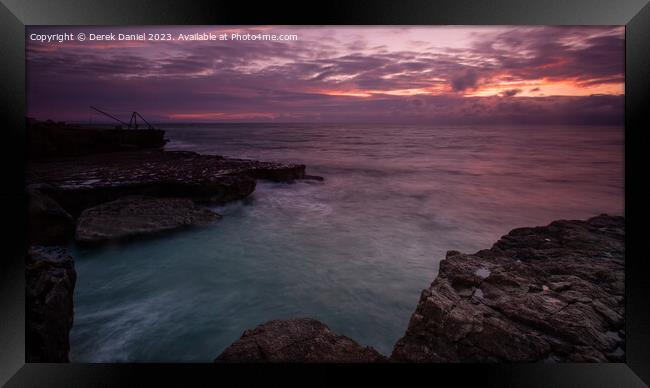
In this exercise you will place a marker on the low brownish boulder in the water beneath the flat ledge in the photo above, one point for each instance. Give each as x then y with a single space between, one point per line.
138 215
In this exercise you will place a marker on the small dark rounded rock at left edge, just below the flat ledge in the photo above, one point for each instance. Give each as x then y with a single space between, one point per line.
47 222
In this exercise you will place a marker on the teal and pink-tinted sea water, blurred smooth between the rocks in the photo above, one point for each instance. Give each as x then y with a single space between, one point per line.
354 251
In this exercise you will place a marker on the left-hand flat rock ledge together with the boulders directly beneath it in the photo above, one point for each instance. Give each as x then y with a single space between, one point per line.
104 197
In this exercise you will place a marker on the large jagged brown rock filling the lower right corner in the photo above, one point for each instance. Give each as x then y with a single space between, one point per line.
553 293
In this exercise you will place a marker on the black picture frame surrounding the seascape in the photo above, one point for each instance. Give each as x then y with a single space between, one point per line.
16 14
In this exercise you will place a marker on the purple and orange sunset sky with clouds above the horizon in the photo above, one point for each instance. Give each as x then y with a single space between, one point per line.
397 74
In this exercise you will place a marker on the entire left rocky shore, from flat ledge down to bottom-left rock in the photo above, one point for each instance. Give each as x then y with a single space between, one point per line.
100 198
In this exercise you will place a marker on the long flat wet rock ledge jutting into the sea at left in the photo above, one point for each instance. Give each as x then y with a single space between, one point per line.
85 181
